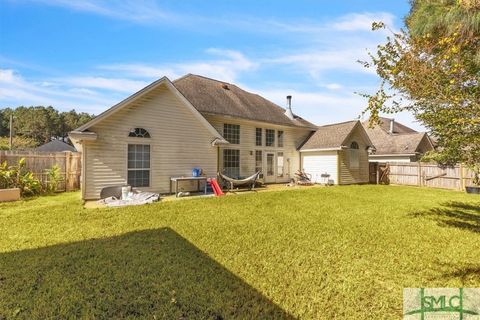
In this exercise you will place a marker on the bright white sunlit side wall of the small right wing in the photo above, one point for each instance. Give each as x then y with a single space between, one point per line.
318 163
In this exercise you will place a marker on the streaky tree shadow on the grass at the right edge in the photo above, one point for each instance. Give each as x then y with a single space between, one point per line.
455 214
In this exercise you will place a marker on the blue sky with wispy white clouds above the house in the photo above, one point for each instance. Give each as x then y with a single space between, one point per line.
91 54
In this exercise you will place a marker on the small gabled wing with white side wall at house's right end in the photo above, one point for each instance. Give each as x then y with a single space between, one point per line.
340 150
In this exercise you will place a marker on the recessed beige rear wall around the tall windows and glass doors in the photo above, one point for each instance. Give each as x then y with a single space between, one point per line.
292 138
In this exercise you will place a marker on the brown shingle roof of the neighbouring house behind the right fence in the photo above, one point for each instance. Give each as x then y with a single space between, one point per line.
404 140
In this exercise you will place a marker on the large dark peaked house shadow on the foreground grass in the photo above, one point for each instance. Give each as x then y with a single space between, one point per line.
147 274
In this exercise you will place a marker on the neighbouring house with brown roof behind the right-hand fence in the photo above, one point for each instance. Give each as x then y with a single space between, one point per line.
394 141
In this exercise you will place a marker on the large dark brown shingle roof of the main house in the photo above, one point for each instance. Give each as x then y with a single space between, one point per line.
214 97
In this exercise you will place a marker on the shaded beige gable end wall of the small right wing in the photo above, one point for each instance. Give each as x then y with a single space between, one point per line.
348 175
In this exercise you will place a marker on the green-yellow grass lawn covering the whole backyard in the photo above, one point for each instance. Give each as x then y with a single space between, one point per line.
338 252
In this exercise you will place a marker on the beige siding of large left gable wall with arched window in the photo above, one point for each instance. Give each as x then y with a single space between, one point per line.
179 142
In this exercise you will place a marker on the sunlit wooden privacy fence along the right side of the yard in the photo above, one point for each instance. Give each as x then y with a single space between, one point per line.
425 175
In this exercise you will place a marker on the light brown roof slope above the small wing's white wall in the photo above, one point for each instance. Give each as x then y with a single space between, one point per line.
330 136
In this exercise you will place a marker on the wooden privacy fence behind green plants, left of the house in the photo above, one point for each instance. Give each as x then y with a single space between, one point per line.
38 162
